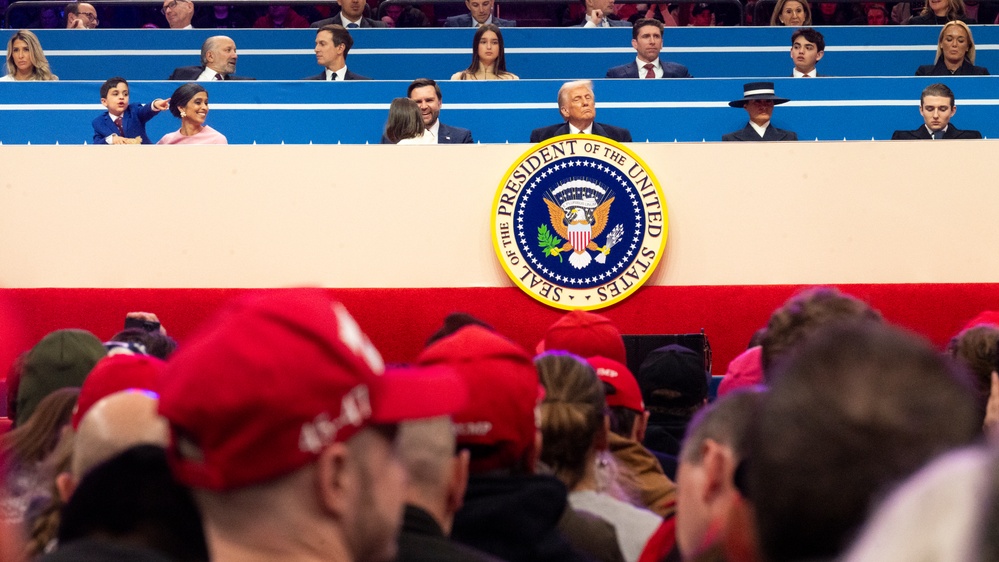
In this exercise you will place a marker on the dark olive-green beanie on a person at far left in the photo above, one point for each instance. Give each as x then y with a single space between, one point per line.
61 359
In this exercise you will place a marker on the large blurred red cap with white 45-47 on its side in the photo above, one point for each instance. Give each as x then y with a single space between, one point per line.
276 378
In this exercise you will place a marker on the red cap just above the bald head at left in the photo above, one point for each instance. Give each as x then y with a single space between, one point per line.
116 373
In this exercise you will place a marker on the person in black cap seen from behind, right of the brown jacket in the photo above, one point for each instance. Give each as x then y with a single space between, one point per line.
674 387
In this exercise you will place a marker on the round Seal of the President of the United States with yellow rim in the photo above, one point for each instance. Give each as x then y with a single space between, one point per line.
579 221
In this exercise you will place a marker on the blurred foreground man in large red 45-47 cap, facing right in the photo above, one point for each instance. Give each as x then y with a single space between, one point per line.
289 445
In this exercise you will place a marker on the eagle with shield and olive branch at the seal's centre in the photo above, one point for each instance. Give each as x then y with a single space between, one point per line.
578 210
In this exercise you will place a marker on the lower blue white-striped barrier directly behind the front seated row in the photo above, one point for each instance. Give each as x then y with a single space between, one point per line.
505 111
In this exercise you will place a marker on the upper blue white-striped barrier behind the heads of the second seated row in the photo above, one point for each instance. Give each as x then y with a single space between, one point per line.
559 53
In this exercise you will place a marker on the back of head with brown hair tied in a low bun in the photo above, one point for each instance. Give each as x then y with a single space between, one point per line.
572 414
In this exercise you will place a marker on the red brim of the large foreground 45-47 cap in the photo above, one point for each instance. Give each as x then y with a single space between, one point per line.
409 393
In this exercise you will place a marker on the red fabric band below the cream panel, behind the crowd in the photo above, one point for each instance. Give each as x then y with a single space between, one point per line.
399 320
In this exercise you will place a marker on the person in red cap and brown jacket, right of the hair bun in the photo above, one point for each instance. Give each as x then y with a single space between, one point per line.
644 471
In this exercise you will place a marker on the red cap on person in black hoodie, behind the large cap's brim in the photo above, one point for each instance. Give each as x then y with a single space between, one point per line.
503 389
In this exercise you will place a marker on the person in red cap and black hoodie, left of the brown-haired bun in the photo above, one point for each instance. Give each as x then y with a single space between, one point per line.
509 511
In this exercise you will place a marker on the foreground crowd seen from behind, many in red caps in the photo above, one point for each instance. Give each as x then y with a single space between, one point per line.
277 432
